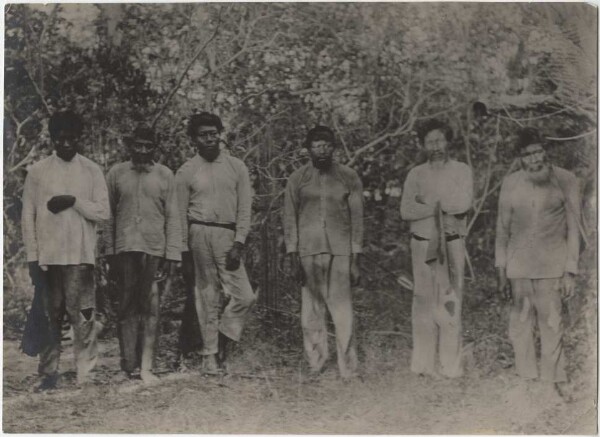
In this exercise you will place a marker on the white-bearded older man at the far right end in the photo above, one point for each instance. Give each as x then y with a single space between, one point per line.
537 251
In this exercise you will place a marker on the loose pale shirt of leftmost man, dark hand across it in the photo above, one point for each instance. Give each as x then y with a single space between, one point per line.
68 237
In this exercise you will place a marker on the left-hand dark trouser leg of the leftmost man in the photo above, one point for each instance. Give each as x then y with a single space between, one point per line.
54 304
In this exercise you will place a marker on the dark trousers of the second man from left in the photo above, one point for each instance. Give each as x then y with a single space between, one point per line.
138 309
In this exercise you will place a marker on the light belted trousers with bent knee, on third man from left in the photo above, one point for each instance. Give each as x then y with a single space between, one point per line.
209 246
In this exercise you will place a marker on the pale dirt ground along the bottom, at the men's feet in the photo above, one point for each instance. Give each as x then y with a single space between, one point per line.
388 400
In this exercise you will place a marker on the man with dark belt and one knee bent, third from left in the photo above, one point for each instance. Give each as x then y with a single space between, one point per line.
215 201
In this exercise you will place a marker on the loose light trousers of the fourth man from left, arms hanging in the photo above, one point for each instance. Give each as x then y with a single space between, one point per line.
328 287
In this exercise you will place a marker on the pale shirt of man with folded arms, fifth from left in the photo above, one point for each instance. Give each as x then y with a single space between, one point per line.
451 185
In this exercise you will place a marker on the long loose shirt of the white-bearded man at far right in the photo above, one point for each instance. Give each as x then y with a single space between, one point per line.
537 235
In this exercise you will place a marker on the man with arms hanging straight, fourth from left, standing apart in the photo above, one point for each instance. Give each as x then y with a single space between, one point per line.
323 225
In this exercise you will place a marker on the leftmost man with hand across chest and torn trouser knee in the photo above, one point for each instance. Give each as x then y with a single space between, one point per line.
65 196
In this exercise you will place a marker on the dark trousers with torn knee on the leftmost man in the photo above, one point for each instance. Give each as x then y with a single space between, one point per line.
71 288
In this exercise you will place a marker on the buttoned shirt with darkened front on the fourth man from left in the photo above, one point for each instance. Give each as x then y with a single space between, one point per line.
323 211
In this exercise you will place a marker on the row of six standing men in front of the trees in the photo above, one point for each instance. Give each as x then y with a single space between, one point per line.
151 217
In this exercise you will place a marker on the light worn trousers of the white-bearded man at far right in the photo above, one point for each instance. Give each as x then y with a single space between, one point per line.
541 296
